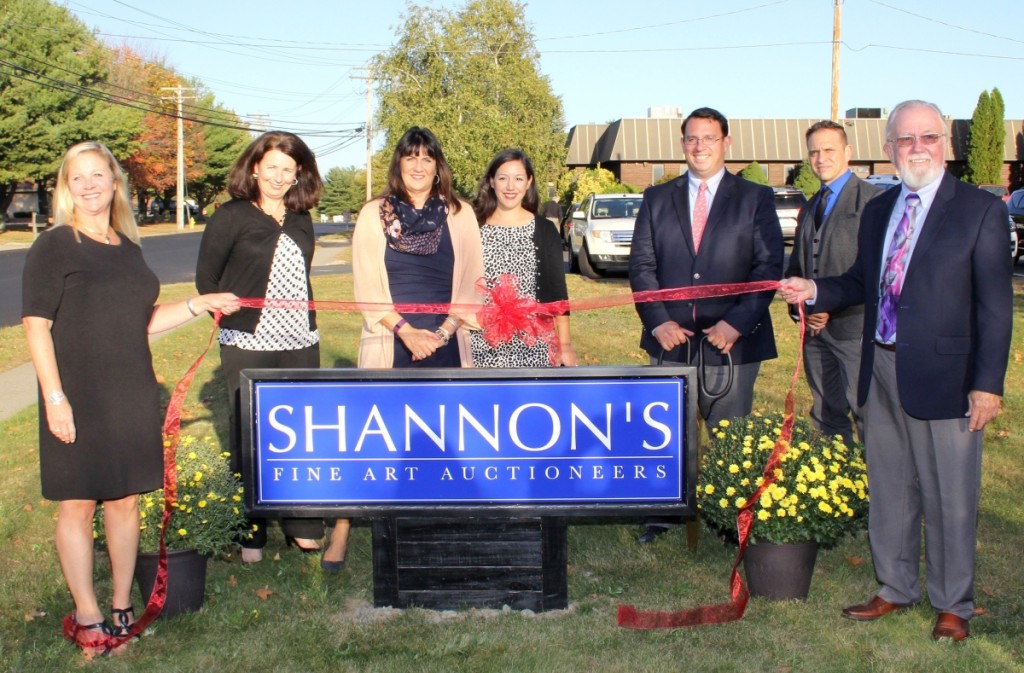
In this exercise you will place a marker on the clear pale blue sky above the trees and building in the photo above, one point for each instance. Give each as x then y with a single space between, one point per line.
301 66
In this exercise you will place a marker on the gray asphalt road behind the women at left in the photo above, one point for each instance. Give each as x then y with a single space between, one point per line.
173 259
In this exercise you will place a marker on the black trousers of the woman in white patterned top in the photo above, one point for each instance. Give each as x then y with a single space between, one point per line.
233 361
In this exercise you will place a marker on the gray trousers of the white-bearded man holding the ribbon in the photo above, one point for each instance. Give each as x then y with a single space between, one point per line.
918 471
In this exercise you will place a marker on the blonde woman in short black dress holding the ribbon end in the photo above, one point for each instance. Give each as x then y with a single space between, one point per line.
89 306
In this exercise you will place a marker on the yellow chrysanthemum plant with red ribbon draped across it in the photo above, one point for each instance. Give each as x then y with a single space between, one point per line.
821 488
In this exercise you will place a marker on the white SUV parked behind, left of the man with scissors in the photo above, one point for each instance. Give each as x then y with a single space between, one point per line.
601 233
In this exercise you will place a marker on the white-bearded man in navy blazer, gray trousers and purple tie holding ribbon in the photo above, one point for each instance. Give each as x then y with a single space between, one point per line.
935 279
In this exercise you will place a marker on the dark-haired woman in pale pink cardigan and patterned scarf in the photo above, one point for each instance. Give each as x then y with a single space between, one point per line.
418 243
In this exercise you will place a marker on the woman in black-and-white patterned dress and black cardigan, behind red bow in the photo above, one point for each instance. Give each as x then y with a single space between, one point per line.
520 242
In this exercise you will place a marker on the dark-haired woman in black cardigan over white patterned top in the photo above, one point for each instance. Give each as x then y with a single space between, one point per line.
261 244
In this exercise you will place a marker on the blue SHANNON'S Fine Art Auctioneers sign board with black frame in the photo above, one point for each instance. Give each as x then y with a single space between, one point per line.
467 439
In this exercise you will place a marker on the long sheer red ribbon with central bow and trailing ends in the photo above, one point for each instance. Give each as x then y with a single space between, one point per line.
505 315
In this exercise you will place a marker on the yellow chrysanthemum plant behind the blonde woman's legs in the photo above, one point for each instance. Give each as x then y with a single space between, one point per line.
209 515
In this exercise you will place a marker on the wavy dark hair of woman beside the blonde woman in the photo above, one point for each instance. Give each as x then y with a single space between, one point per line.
309 188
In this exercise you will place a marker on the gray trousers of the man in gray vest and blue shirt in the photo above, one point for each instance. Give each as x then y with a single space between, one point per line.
832 367
